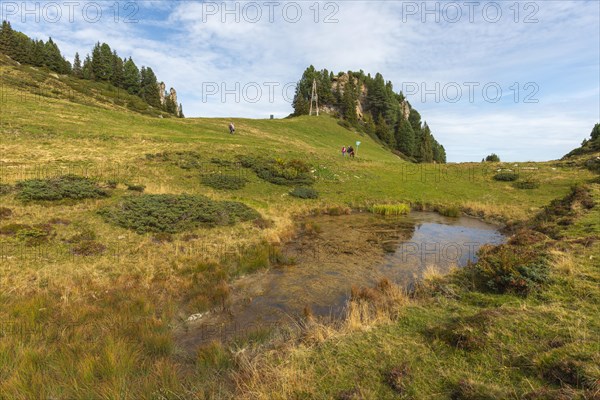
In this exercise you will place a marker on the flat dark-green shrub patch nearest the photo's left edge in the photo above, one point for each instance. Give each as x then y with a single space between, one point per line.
64 187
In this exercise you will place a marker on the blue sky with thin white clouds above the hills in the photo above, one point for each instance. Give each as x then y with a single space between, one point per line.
517 78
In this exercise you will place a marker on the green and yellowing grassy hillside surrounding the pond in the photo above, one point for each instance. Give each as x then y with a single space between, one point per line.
90 306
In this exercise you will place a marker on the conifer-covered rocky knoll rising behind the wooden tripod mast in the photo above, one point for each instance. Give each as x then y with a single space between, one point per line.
383 111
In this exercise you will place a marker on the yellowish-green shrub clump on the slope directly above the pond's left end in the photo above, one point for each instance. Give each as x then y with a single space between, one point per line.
278 171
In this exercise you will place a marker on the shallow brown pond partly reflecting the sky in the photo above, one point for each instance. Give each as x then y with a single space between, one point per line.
332 254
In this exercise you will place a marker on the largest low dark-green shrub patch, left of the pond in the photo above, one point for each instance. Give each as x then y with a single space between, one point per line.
175 213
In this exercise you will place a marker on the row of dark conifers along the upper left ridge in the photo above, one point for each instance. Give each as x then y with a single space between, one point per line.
104 65
